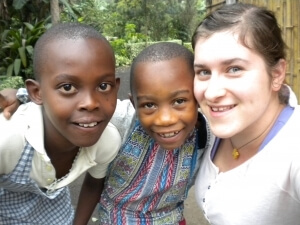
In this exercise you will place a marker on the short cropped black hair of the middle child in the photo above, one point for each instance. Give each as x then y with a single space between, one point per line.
161 51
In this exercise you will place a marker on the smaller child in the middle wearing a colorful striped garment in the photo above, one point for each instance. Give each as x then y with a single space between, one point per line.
149 179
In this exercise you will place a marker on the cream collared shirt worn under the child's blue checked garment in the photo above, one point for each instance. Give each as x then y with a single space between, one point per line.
27 123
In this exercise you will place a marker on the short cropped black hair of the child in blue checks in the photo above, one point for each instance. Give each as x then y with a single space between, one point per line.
62 31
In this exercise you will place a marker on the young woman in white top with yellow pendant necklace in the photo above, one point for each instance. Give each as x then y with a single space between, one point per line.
251 175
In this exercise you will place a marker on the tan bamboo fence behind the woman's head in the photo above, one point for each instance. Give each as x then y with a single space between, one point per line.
288 15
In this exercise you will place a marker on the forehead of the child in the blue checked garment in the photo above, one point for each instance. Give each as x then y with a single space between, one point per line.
79 58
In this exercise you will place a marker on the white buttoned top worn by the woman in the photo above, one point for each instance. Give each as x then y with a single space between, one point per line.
265 190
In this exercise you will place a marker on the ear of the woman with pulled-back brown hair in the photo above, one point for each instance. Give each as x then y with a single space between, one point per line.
278 75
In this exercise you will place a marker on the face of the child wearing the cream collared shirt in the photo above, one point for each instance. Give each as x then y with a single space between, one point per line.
78 90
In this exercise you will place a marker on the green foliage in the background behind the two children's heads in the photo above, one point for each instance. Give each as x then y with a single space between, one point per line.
130 25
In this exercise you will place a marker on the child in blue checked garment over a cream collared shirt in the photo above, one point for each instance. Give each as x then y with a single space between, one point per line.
51 141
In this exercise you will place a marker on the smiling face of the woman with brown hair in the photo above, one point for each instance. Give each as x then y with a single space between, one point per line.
232 85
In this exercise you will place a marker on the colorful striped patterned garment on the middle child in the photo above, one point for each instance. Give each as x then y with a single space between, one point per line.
147 184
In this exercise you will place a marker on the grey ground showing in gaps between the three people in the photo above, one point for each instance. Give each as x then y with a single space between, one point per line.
192 212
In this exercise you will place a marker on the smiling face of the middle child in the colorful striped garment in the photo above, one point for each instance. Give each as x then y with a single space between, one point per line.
164 100
